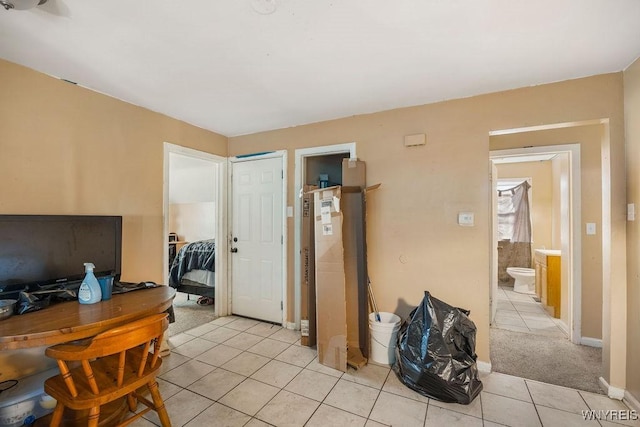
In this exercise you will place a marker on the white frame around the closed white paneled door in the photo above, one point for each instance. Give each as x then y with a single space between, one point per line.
282 154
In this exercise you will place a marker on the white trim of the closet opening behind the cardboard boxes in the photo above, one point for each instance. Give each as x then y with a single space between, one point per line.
300 155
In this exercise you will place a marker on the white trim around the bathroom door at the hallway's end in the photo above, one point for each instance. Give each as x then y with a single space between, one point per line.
571 235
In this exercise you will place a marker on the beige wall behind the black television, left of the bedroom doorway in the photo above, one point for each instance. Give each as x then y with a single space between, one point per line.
69 150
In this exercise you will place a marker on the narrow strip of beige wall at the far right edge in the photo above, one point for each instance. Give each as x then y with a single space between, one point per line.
632 123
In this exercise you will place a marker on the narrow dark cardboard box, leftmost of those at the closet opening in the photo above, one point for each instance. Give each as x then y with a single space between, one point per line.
308 267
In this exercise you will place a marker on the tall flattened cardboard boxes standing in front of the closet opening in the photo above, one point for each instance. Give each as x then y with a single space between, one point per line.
334 270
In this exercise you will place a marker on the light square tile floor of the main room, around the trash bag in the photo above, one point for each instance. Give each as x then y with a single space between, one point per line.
239 372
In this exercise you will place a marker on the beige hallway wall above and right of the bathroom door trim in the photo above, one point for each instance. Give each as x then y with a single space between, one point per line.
589 138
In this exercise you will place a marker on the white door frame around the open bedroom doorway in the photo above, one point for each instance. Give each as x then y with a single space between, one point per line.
220 306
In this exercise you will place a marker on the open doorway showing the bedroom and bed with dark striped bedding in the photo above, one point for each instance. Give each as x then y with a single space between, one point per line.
193 227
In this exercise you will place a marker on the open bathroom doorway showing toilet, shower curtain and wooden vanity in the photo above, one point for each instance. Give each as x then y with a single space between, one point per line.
535 213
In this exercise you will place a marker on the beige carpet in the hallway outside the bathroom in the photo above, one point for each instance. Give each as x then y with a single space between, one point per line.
546 359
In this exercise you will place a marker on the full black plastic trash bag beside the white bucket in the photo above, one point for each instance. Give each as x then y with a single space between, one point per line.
435 352
